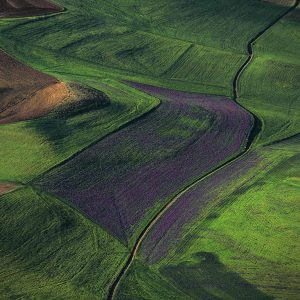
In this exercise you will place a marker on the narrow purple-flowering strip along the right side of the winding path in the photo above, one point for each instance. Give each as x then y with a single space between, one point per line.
169 230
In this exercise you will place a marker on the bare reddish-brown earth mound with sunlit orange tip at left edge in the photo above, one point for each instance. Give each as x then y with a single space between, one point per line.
26 93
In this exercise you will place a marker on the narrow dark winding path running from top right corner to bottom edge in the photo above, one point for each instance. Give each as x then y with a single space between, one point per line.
256 128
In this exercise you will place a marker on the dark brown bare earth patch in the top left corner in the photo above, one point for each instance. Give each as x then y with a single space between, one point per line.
16 8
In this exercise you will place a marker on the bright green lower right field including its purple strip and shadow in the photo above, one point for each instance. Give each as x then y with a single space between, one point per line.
223 237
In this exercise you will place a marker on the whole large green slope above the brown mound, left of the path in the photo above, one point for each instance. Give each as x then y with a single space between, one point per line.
130 39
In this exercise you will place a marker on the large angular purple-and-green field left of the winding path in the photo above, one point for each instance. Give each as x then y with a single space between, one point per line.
123 180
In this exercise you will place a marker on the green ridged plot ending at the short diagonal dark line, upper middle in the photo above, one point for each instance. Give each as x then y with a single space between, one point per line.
124 49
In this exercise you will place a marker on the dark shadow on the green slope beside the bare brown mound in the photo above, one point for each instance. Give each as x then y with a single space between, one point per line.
89 111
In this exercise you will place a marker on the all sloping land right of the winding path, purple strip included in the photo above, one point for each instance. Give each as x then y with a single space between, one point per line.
240 223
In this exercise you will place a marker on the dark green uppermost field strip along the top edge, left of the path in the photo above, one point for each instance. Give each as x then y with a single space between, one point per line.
218 24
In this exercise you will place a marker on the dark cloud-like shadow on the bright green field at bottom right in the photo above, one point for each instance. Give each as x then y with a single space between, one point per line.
210 279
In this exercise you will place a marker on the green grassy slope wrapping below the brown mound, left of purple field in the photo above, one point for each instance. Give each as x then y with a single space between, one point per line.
32 147
